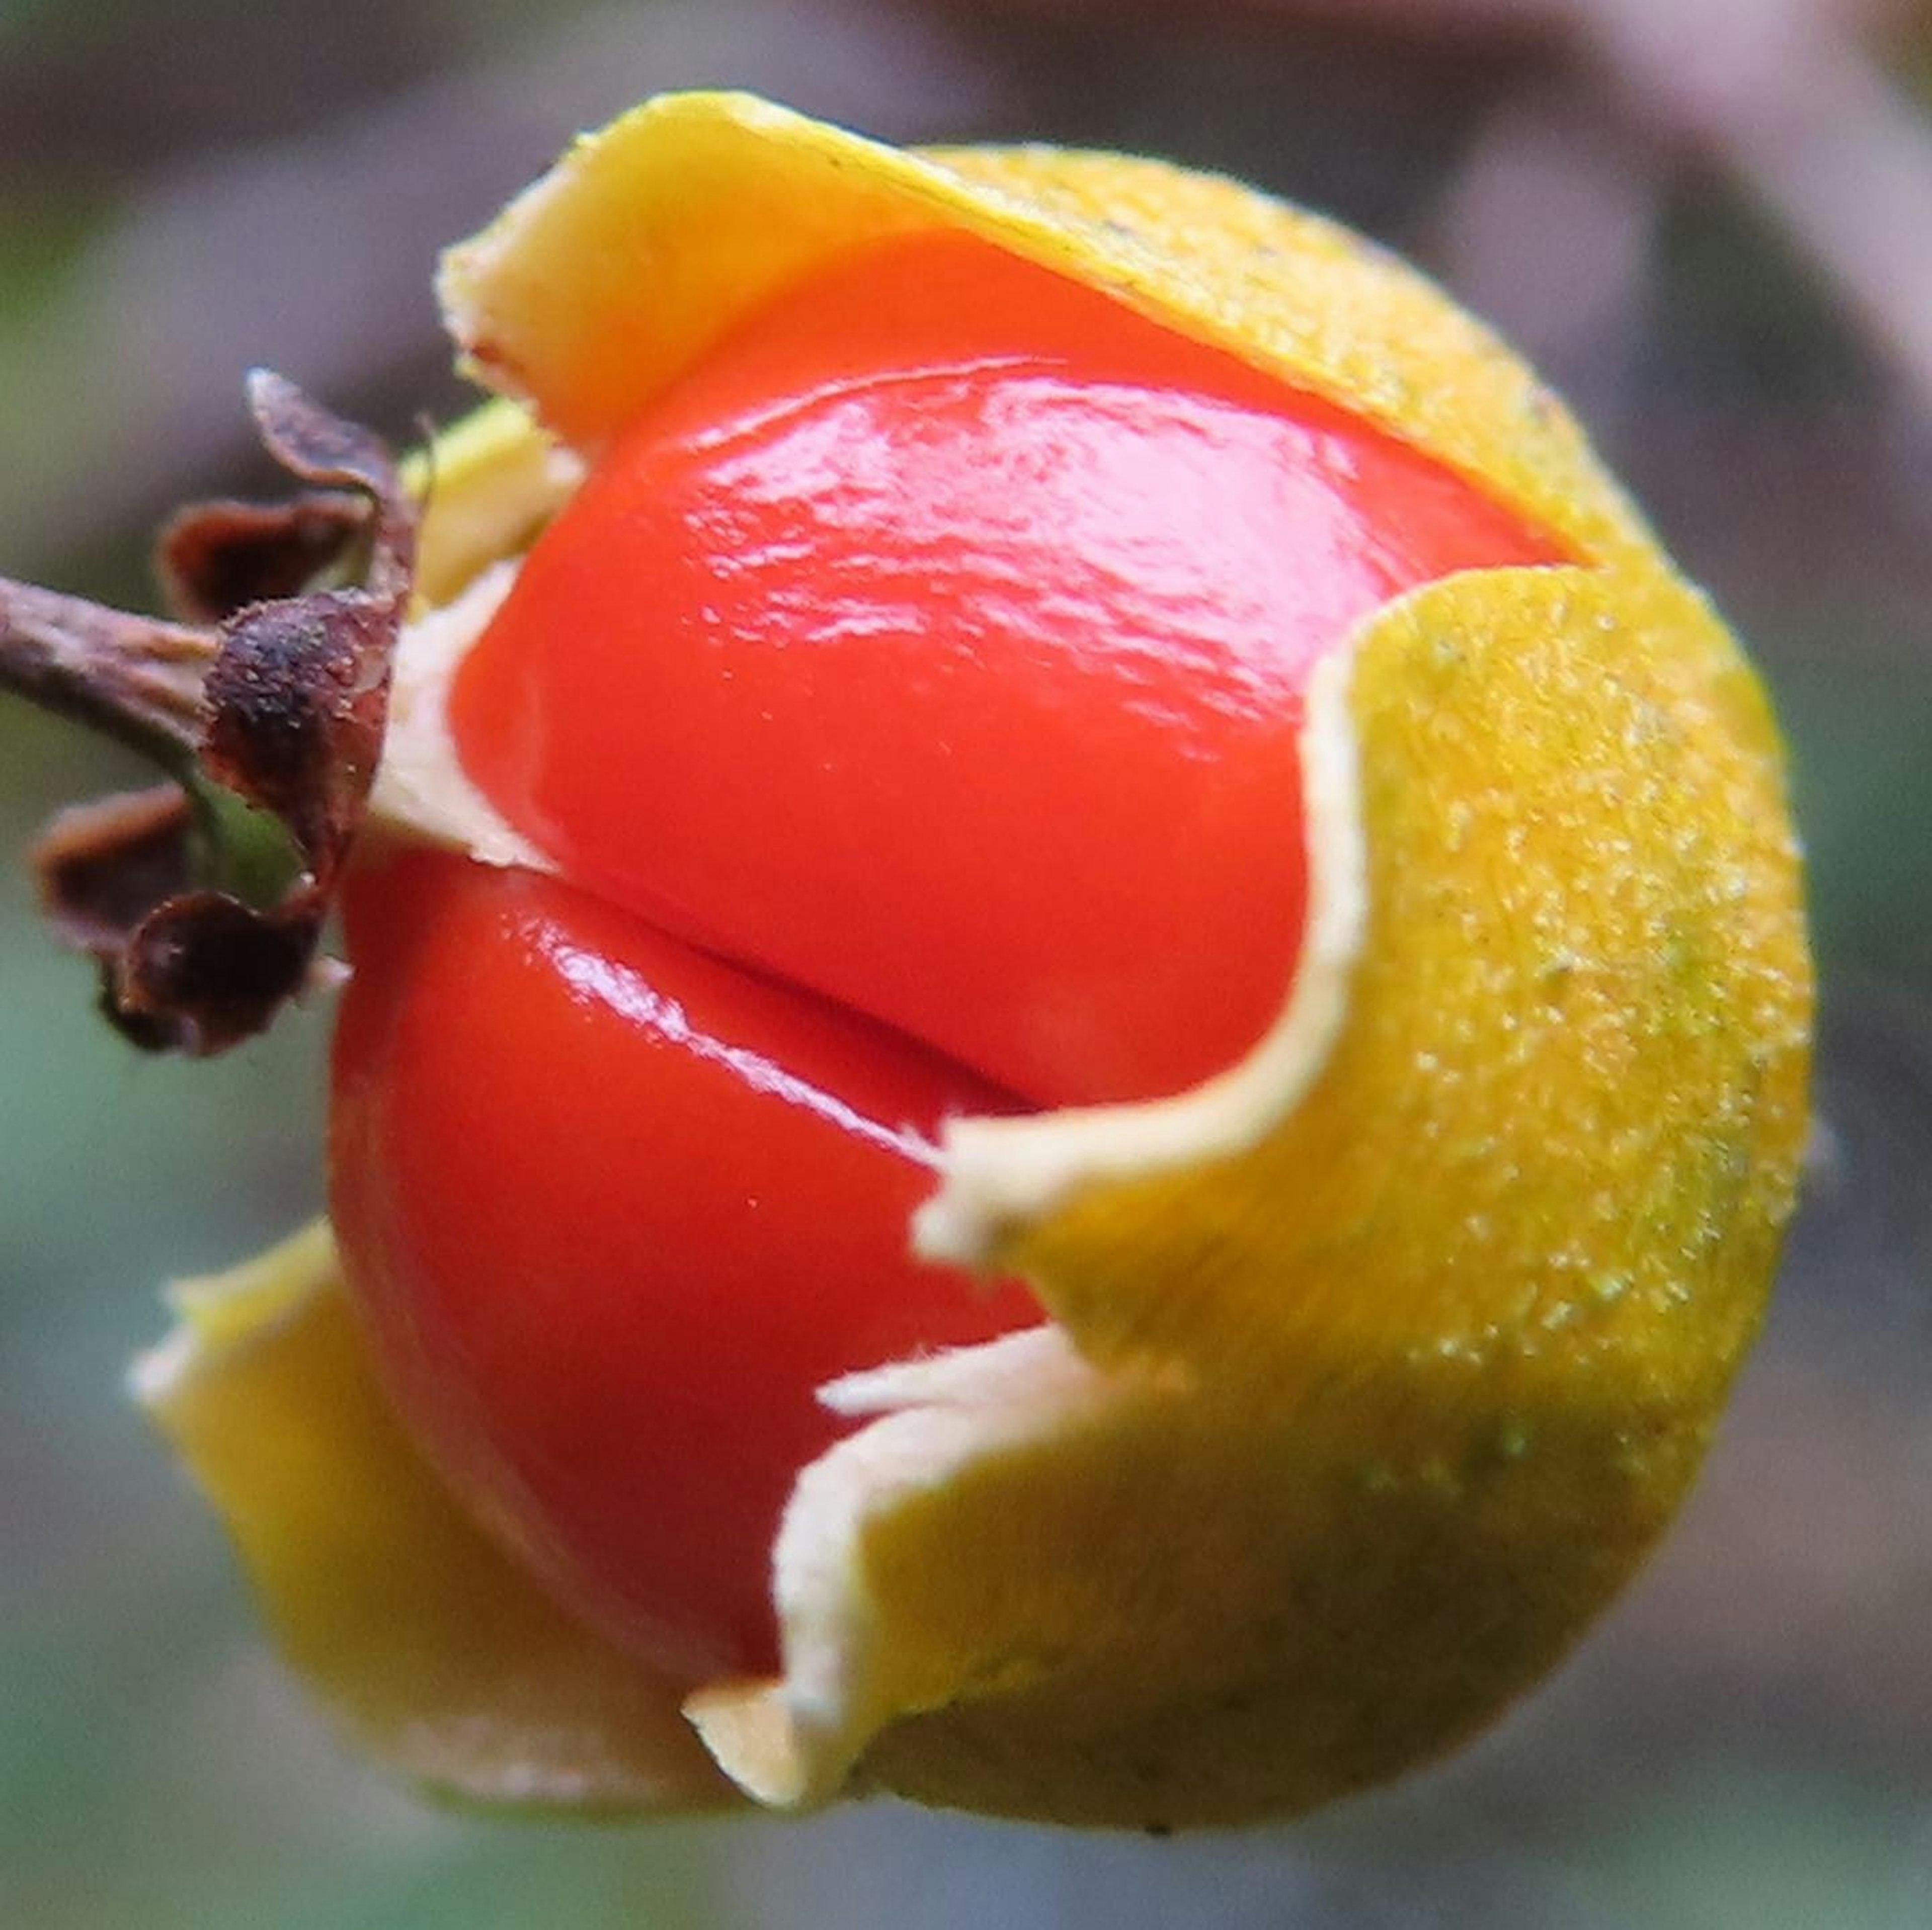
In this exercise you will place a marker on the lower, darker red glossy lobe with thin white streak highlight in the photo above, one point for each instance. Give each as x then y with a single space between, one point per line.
613 1212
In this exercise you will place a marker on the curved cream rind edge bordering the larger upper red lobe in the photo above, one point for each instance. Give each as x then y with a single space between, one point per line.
996 1174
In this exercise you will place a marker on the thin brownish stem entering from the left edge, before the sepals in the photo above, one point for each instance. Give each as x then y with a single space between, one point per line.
134 679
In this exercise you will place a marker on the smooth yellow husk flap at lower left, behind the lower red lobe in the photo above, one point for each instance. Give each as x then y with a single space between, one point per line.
424 1637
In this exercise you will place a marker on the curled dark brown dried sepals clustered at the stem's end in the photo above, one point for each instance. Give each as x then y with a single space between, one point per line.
289 714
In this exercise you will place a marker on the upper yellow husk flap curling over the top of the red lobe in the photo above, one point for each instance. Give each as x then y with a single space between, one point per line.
652 239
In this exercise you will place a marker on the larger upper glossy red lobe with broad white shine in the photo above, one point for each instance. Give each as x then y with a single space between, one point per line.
940 644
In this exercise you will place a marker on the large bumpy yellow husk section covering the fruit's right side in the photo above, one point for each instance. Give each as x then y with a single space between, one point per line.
1456 1336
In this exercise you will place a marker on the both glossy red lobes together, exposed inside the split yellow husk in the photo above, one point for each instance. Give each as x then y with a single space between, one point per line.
911 700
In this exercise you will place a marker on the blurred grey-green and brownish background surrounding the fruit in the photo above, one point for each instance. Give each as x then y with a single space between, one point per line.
1711 221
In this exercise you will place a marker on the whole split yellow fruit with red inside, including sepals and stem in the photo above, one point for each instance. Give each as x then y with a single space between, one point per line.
1075 1015
